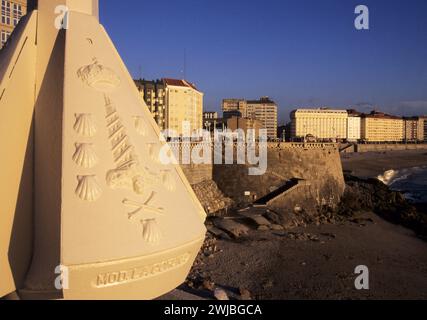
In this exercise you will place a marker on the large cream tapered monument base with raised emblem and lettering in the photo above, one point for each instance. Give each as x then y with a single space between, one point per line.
87 209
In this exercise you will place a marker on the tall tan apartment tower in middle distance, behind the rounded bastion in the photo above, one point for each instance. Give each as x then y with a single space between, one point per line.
264 110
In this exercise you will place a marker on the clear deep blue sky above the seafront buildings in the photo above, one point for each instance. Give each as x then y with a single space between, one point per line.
299 52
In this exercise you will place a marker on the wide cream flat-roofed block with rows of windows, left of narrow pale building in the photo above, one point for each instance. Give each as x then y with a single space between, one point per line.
321 123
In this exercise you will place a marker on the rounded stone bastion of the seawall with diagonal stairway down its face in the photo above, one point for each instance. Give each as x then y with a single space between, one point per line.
317 167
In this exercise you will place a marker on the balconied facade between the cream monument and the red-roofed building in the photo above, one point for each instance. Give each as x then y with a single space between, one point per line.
154 95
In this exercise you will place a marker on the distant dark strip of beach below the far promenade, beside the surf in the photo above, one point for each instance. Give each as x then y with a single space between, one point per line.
372 164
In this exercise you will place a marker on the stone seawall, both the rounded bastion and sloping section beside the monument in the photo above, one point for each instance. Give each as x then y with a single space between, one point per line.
316 167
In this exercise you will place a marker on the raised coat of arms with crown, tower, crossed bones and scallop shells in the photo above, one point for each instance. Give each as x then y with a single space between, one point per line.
128 173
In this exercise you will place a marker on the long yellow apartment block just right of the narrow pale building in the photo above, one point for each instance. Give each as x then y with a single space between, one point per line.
381 127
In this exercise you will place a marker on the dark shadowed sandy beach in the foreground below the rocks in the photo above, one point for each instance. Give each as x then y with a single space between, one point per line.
318 262
